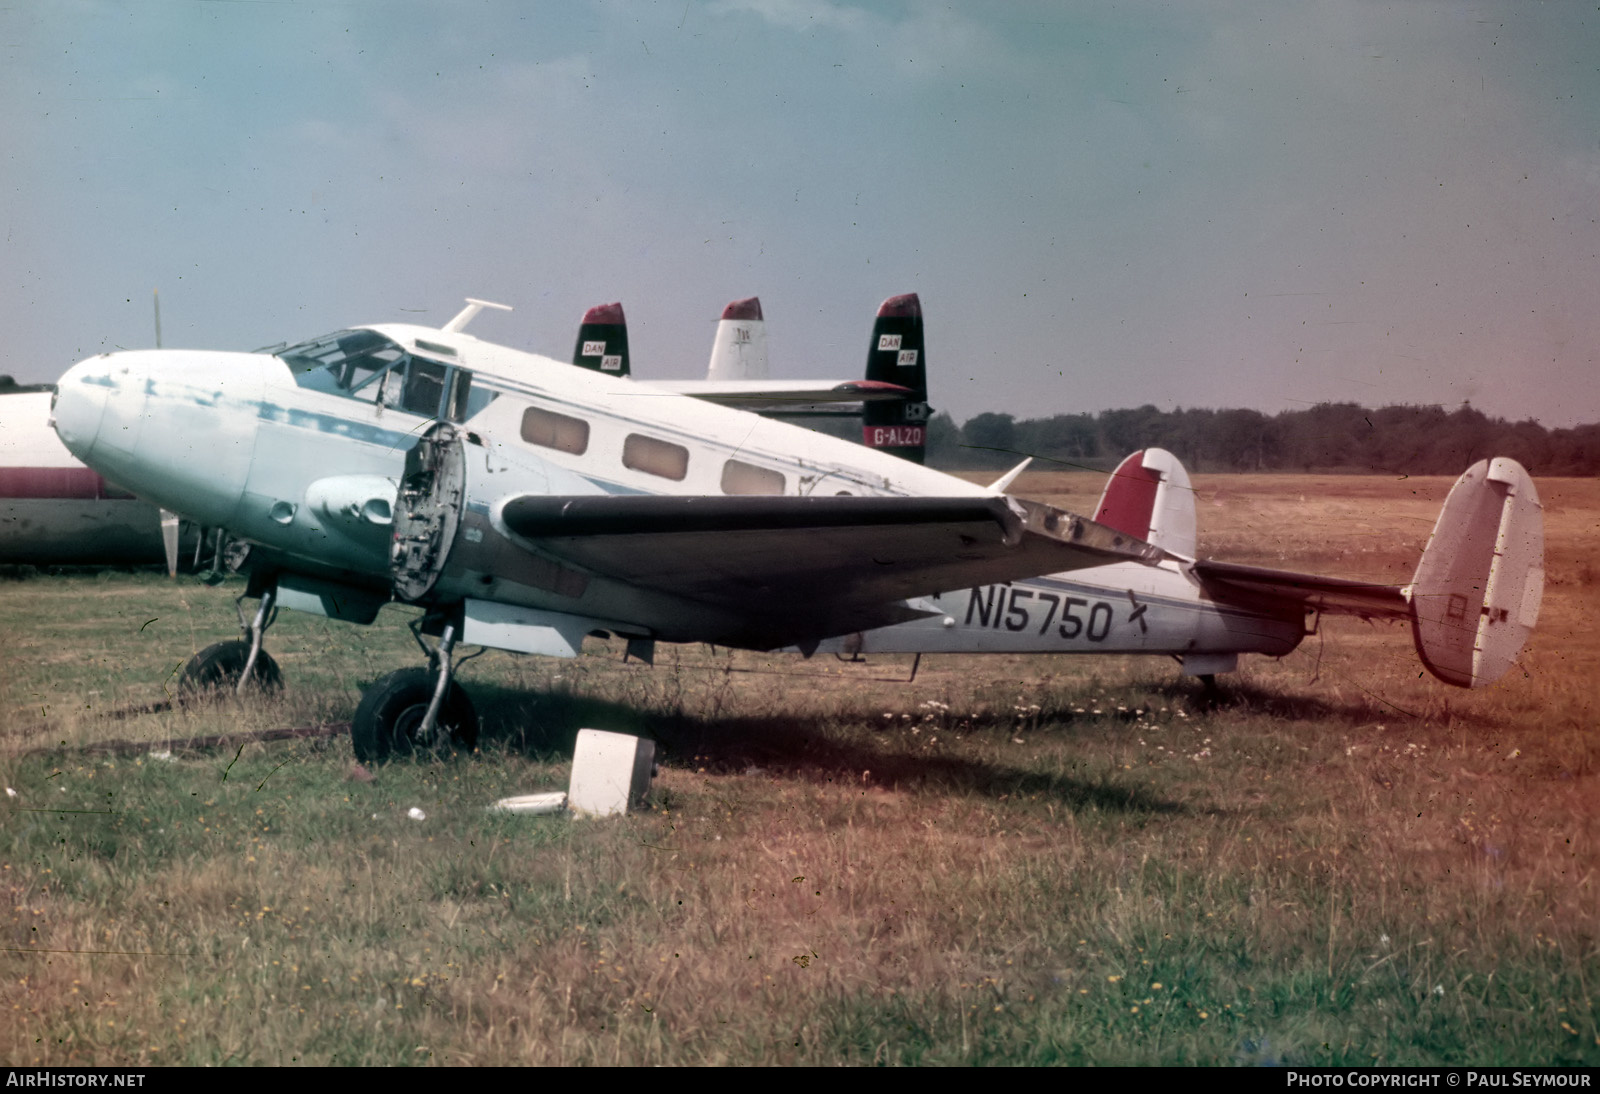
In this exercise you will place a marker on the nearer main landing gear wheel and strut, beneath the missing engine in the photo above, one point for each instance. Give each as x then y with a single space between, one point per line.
417 711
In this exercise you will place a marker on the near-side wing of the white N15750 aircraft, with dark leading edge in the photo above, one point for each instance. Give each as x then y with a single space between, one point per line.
801 569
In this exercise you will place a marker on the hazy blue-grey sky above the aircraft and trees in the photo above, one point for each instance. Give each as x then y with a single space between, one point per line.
1198 204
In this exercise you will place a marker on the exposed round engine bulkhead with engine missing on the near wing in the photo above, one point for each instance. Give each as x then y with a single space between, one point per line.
428 511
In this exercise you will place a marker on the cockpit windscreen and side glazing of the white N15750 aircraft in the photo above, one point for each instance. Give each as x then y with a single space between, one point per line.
372 369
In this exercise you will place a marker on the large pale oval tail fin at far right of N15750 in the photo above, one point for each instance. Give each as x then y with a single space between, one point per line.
1476 594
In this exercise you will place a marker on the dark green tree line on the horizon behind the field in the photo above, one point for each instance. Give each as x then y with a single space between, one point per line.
1343 437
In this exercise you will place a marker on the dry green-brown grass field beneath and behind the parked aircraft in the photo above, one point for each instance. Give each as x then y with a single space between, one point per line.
1004 861
